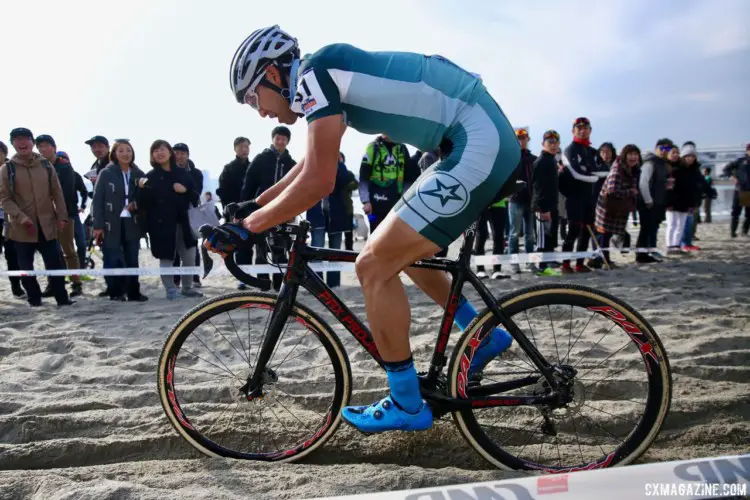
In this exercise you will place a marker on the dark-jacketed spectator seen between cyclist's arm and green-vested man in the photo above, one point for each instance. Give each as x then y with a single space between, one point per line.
338 220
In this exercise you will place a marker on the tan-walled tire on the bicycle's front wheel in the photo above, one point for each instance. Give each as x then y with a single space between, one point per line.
207 309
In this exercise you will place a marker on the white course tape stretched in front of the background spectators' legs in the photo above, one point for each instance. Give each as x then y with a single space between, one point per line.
481 260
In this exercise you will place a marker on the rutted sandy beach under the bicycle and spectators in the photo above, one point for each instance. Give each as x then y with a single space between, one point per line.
80 416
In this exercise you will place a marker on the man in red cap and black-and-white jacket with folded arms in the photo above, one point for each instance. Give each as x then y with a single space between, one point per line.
577 182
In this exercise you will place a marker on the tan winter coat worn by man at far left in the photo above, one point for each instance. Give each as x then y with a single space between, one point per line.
37 197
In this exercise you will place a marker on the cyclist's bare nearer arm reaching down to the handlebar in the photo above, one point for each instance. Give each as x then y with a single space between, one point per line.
313 183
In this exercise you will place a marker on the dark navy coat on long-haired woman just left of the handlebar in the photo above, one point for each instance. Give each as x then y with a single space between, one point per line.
166 209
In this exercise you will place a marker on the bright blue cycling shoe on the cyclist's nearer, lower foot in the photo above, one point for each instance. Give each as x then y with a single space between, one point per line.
386 415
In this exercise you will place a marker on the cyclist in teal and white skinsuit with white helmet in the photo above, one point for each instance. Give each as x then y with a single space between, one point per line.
425 101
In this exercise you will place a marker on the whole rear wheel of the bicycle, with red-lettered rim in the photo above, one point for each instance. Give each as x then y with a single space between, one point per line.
621 391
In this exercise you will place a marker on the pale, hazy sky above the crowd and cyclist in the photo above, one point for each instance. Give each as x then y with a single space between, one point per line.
159 69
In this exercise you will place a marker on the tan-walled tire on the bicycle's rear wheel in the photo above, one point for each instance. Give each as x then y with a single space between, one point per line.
659 378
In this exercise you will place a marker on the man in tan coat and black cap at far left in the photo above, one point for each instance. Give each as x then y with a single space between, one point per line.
35 208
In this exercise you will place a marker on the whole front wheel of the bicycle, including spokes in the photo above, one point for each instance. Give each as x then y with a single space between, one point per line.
209 356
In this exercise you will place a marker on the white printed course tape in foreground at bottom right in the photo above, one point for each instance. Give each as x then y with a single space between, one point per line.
686 479
